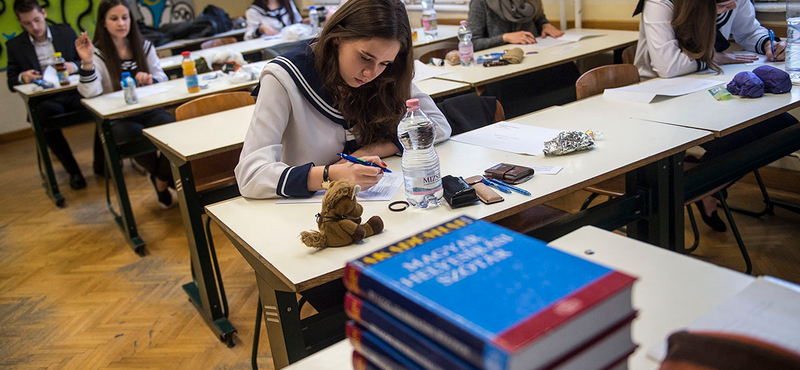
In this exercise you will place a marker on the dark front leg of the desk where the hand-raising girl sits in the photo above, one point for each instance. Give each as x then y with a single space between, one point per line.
125 218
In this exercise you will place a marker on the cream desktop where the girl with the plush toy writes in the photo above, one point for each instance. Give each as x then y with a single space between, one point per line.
273 238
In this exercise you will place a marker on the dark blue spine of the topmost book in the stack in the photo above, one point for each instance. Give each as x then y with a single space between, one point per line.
430 323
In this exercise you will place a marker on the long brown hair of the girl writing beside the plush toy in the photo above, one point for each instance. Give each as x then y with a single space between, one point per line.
372 110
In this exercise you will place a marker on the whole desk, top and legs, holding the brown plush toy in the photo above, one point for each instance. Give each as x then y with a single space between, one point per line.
266 233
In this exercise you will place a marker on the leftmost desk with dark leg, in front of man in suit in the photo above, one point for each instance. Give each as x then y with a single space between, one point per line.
32 94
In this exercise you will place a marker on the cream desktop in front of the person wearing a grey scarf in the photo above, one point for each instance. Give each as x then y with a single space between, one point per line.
478 75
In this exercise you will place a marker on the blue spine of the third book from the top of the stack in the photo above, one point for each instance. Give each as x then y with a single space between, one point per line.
376 351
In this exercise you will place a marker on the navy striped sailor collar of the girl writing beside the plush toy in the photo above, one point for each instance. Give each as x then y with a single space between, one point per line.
299 62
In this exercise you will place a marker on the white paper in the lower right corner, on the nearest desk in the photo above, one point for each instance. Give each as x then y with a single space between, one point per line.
765 310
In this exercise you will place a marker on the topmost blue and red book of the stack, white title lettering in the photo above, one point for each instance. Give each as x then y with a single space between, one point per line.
498 299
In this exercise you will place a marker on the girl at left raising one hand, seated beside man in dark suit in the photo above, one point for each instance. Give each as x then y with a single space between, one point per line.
118 47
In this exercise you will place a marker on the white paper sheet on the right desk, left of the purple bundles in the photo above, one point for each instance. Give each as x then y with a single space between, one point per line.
645 92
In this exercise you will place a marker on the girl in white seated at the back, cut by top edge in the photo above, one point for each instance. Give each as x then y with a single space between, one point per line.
268 17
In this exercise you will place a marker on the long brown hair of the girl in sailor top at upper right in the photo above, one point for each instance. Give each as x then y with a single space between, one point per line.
695 23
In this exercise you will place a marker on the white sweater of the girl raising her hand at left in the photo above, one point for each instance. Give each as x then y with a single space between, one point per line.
98 81
